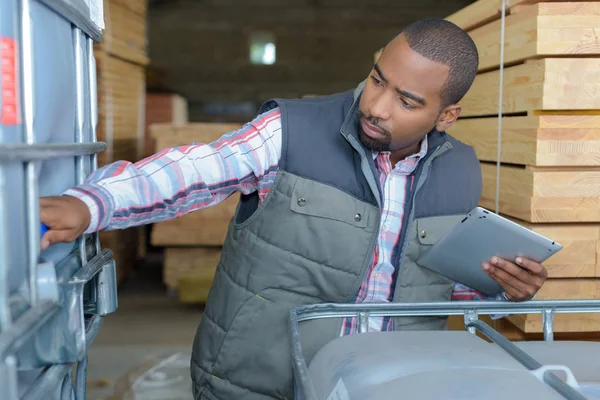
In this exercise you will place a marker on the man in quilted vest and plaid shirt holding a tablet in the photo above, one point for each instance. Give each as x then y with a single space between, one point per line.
340 195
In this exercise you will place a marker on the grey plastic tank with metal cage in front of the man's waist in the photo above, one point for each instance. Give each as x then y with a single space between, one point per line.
351 357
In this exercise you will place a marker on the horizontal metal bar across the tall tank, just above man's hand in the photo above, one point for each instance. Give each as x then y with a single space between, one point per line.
40 152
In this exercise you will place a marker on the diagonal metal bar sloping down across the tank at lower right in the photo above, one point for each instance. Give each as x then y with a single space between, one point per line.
528 362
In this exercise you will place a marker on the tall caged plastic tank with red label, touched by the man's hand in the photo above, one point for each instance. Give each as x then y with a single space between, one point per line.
52 303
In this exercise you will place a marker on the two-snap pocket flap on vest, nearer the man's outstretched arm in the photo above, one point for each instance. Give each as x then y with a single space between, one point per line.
319 200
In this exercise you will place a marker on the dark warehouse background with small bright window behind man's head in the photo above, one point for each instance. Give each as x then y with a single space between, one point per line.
201 48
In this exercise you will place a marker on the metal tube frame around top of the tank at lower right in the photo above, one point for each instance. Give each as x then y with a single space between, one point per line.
471 310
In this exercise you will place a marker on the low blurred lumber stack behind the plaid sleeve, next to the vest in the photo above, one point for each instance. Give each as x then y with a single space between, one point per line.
193 242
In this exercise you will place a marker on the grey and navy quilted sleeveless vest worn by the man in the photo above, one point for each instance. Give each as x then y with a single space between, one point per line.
311 241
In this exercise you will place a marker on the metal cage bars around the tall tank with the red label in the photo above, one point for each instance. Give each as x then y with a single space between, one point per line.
97 275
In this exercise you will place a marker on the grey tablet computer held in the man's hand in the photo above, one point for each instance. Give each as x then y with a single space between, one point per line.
481 235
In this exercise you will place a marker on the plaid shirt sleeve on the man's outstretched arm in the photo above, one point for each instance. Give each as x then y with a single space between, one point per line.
179 180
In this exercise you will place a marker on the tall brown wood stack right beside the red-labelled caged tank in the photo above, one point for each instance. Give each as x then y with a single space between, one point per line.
121 59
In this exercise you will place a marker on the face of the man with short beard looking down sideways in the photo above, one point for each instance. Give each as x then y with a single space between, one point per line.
401 102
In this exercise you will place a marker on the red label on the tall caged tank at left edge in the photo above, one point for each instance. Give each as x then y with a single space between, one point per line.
10 88
